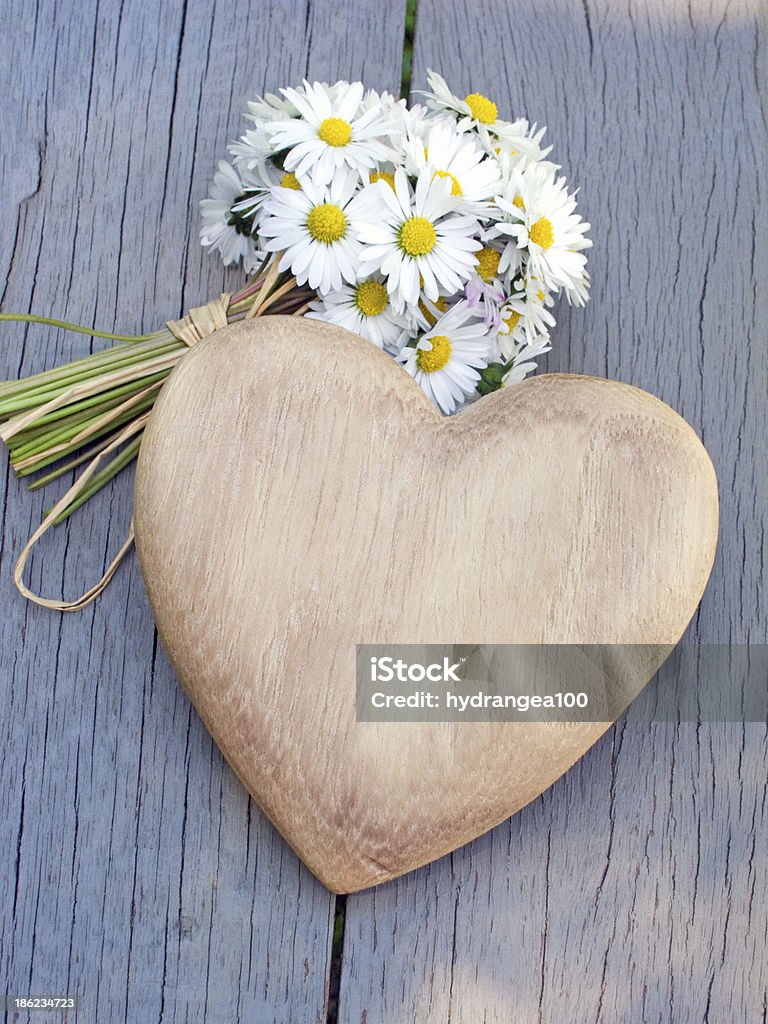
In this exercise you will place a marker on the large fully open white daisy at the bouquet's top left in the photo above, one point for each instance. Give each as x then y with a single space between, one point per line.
332 133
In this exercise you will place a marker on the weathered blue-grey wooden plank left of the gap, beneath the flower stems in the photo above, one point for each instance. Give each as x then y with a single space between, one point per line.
136 873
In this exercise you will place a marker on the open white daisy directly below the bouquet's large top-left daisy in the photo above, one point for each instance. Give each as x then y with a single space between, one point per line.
316 227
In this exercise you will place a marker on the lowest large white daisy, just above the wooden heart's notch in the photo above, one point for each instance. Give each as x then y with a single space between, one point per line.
446 362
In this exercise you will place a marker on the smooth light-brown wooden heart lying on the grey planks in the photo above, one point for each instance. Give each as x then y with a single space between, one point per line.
297 494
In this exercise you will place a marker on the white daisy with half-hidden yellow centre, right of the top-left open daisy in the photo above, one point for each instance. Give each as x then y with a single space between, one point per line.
475 178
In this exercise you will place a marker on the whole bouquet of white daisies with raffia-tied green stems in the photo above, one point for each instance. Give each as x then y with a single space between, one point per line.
438 232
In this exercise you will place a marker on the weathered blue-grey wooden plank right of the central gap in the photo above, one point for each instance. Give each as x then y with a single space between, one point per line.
635 889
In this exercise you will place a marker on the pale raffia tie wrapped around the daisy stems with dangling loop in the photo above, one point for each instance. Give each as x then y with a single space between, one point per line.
198 324
